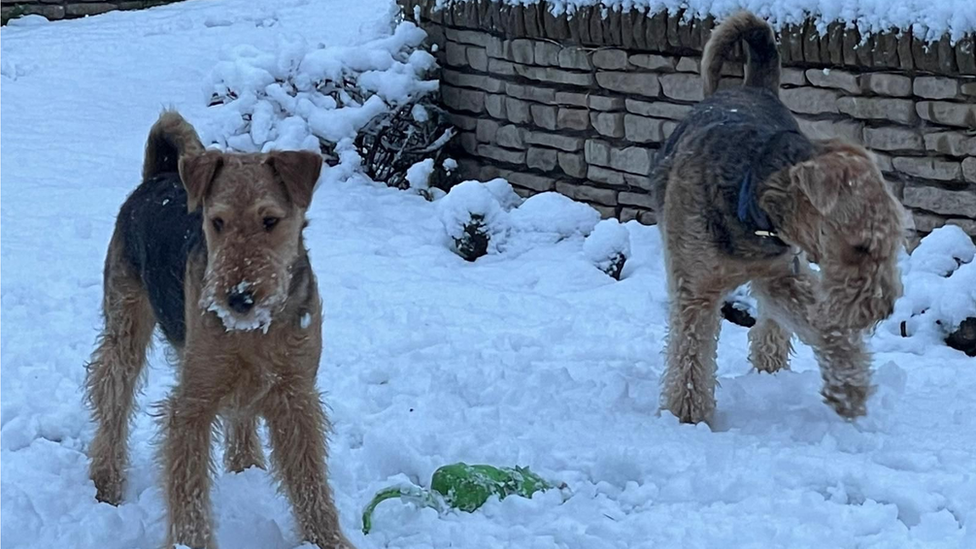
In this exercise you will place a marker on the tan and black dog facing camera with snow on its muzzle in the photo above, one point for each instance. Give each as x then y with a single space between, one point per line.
210 248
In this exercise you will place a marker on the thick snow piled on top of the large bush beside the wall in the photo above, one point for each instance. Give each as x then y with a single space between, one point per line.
299 97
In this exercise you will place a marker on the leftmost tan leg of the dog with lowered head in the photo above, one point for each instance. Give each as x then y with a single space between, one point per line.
688 389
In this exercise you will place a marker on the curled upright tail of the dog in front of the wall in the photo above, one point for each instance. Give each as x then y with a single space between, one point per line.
762 55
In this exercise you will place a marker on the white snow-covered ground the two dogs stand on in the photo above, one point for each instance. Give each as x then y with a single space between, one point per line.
531 356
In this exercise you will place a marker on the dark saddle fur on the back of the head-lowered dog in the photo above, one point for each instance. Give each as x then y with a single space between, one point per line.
739 137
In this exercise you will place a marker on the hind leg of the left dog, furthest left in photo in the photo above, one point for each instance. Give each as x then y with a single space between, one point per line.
114 370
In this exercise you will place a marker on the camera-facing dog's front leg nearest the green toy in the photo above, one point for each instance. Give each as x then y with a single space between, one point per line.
298 426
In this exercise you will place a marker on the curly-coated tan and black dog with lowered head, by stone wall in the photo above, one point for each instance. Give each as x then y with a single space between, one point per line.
744 197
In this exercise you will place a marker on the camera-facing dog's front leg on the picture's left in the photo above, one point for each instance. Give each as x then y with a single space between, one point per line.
188 424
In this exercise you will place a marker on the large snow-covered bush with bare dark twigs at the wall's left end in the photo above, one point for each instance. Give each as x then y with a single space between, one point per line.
379 95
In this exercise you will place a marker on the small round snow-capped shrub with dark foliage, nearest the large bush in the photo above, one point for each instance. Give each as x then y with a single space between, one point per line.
473 219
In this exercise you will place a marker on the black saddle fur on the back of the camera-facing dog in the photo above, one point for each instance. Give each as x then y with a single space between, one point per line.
159 236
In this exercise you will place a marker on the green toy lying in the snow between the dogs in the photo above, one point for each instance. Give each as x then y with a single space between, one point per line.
463 487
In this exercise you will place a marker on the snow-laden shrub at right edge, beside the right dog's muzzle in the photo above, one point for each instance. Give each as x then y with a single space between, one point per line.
940 286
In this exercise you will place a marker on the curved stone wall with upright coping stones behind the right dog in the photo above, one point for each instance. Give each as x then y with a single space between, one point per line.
580 103
